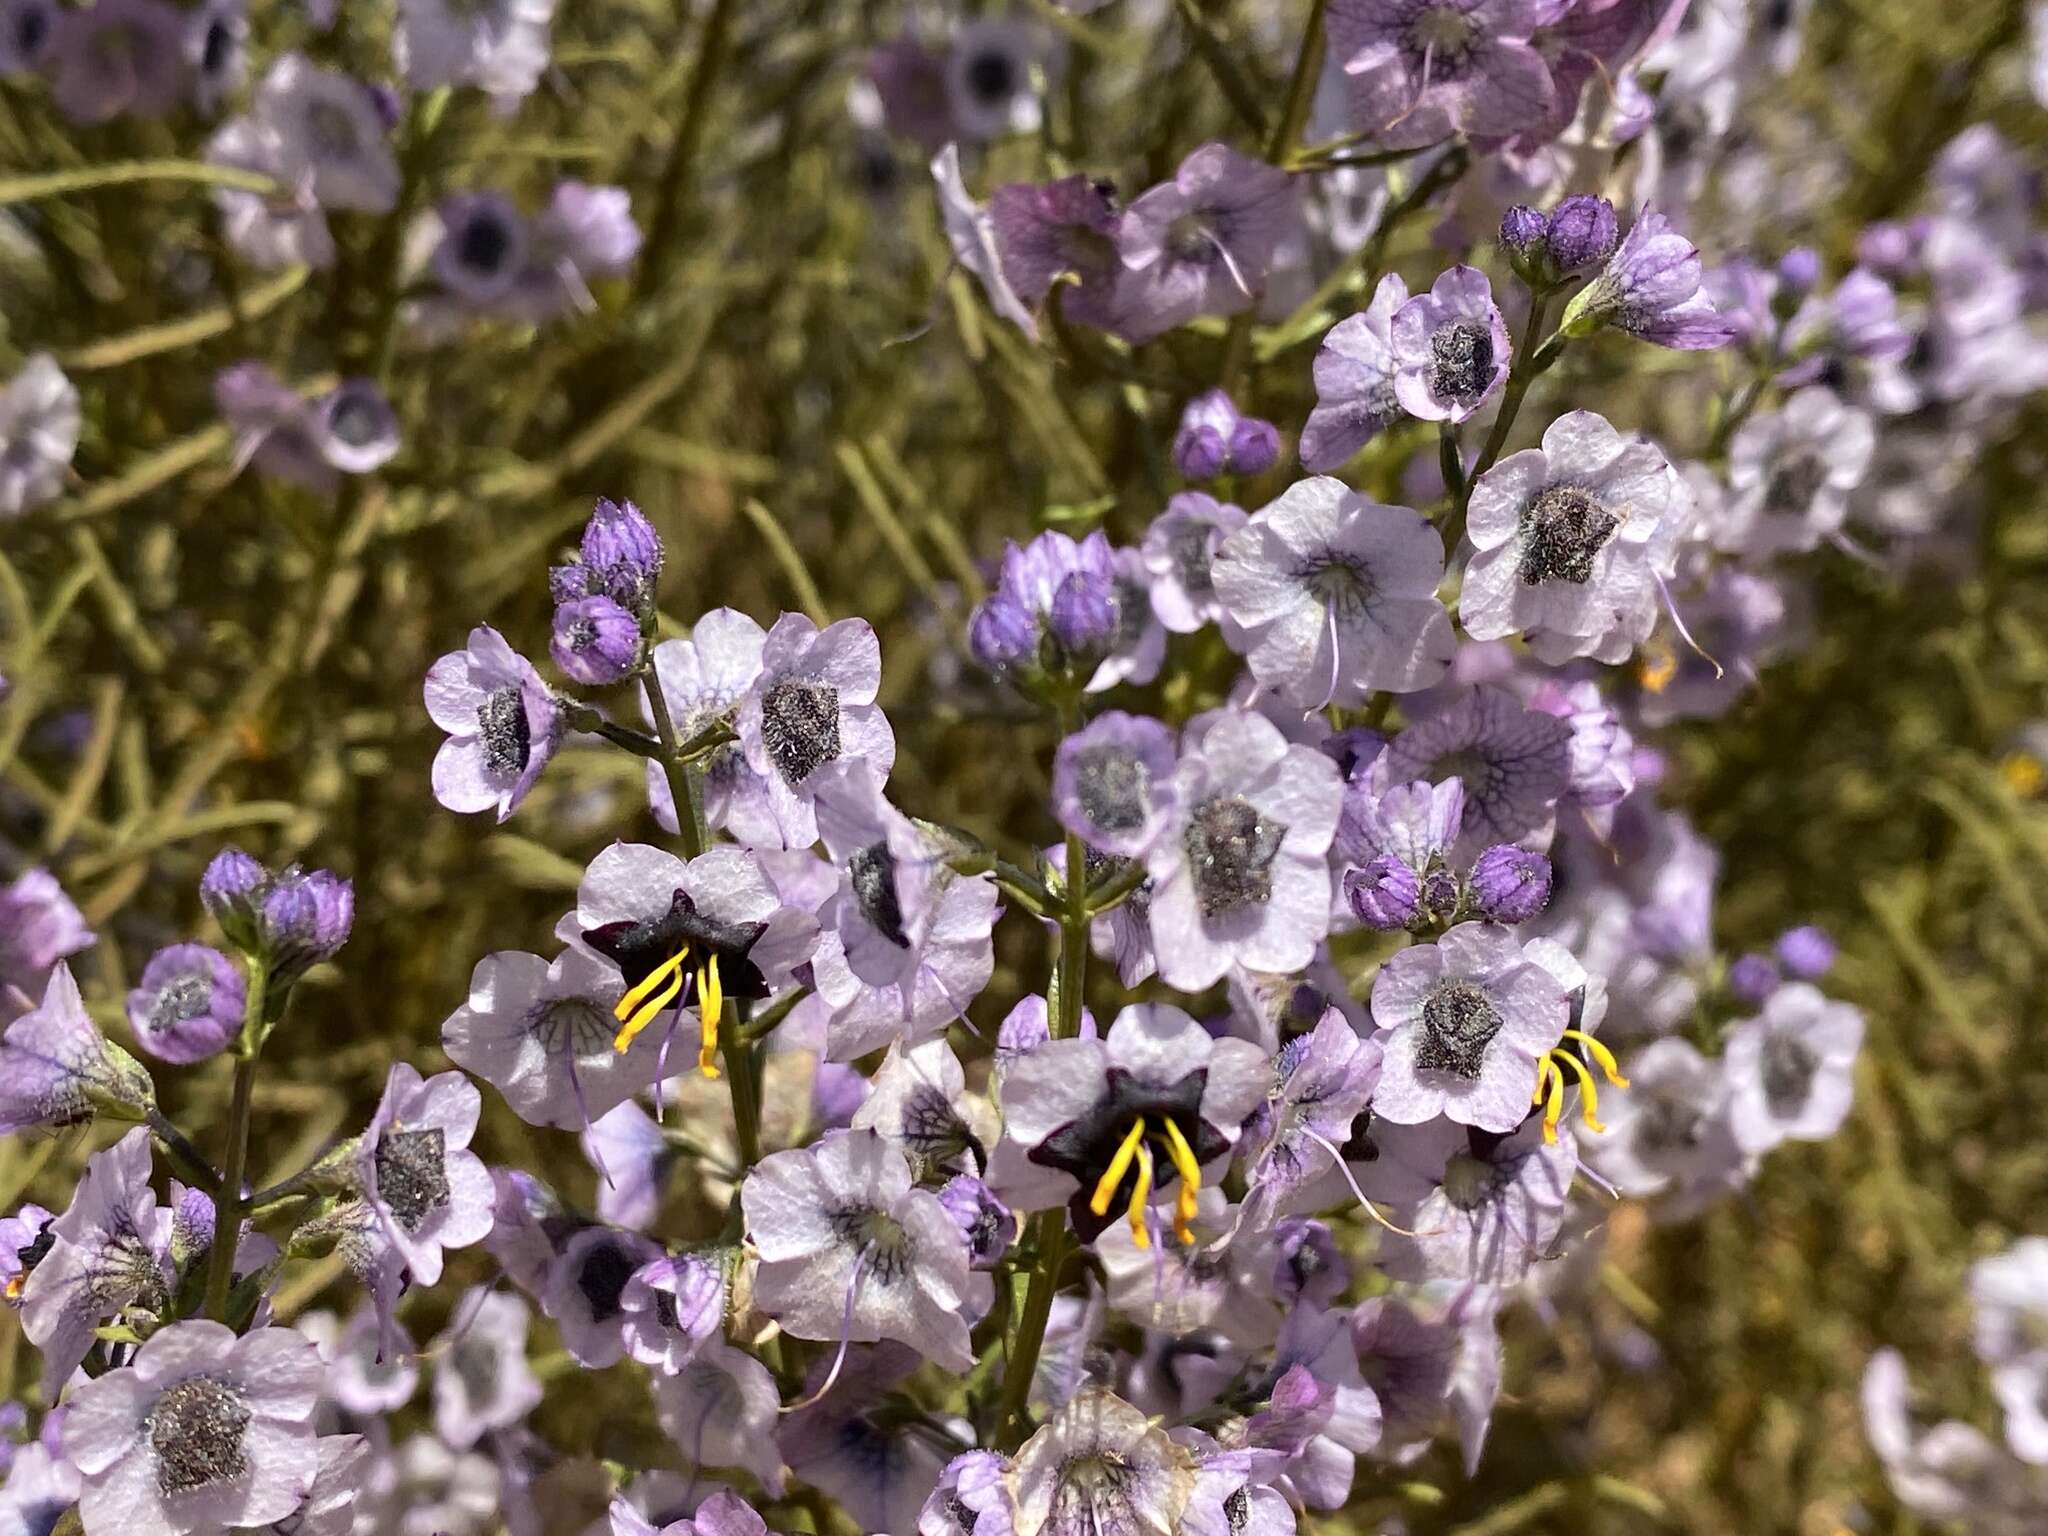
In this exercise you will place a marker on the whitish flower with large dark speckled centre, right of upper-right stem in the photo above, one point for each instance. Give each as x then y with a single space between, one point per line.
1572 542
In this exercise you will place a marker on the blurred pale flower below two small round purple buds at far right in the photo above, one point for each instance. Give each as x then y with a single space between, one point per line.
1791 1070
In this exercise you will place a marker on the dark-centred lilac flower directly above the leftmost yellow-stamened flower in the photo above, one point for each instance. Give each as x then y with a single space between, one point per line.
814 703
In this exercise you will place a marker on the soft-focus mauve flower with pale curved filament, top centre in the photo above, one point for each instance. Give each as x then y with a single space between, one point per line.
1203 243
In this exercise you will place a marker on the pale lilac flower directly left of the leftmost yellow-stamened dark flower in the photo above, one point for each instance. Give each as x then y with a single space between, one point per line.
542 1035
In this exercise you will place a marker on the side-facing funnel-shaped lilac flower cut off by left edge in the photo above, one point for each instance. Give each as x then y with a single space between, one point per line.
58 1070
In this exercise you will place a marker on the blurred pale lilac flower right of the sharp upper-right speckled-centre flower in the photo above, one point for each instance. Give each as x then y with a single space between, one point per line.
1791 474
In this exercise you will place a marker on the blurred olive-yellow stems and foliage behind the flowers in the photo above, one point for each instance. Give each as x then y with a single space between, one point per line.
804 398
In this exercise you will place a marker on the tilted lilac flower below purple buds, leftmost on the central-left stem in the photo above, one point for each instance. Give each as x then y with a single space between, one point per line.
503 726
